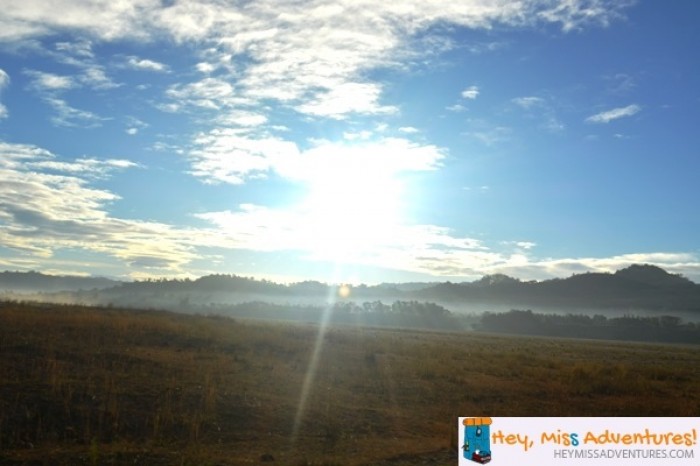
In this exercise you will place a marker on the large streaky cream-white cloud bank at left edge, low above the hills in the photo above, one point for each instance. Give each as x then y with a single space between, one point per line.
47 205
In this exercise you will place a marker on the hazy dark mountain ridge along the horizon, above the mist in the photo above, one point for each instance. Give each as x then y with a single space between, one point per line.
636 287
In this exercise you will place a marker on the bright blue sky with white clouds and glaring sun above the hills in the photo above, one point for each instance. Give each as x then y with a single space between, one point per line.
349 141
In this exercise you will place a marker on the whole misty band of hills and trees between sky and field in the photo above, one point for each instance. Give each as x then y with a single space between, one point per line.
640 302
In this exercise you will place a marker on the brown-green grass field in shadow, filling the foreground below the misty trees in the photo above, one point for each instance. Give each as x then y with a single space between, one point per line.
111 387
